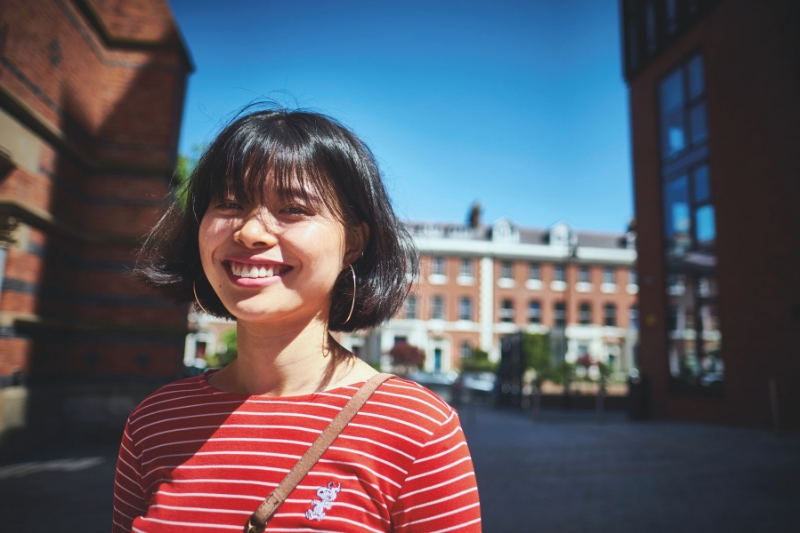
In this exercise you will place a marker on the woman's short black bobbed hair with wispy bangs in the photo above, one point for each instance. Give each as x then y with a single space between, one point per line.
269 152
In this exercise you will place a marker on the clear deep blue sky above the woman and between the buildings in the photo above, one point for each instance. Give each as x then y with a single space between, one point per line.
520 105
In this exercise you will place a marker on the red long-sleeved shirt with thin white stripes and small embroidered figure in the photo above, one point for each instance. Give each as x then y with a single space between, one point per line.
201 460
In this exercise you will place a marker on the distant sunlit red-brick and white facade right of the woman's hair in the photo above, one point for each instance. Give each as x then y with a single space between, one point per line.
478 283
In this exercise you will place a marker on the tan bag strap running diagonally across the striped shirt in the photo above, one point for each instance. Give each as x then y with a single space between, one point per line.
258 520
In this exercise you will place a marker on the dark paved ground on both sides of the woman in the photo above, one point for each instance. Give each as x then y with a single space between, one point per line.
566 473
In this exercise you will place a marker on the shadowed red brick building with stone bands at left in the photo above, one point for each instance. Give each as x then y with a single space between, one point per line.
91 101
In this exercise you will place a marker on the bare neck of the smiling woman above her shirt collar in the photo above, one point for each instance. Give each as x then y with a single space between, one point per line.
284 361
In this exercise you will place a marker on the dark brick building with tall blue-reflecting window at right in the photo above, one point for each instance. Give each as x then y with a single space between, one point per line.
714 91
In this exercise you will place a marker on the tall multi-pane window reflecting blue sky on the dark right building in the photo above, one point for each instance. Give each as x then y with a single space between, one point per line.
694 338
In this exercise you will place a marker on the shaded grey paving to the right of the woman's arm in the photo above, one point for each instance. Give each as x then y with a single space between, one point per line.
570 473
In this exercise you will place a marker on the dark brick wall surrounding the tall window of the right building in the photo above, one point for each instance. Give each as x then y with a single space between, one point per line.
752 73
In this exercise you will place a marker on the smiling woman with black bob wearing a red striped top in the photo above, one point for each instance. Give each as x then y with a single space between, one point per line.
288 230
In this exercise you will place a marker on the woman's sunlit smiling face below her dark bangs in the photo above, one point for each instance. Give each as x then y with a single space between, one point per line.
274 263
